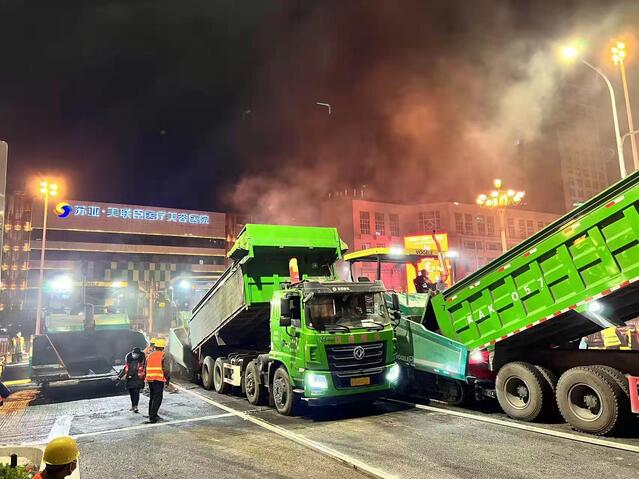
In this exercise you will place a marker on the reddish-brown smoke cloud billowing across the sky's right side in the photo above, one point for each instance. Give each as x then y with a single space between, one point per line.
429 99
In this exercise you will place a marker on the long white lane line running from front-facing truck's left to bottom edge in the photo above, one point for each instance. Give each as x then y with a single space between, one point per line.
301 440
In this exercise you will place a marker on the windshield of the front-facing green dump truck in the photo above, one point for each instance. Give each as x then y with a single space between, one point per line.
347 311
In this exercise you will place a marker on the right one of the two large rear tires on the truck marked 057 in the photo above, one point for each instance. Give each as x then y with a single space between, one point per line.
589 400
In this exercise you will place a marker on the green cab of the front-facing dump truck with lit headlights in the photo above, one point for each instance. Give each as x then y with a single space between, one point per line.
336 340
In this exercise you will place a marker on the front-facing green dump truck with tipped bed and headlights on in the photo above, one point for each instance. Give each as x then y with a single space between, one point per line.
279 327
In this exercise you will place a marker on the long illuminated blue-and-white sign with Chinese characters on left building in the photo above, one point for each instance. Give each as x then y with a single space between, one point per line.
139 214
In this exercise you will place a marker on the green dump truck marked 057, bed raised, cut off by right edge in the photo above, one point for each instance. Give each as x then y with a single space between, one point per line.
526 312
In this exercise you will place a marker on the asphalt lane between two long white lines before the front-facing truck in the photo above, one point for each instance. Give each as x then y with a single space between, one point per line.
406 441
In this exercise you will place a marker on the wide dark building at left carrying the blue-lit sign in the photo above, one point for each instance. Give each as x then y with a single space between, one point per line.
150 250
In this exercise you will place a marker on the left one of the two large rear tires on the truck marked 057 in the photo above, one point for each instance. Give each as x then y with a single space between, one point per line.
522 391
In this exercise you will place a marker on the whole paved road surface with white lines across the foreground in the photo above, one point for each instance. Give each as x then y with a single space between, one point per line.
207 435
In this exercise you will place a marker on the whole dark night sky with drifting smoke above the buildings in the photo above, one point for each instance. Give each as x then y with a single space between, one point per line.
212 105
